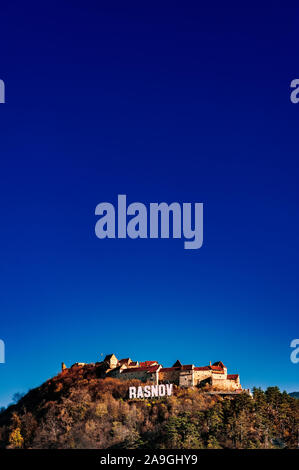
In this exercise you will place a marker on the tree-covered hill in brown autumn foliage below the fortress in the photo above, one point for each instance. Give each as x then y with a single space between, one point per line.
80 409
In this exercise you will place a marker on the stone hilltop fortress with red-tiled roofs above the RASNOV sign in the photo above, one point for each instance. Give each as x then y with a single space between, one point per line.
215 375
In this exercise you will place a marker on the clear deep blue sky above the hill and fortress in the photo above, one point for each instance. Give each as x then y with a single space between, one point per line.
163 103
